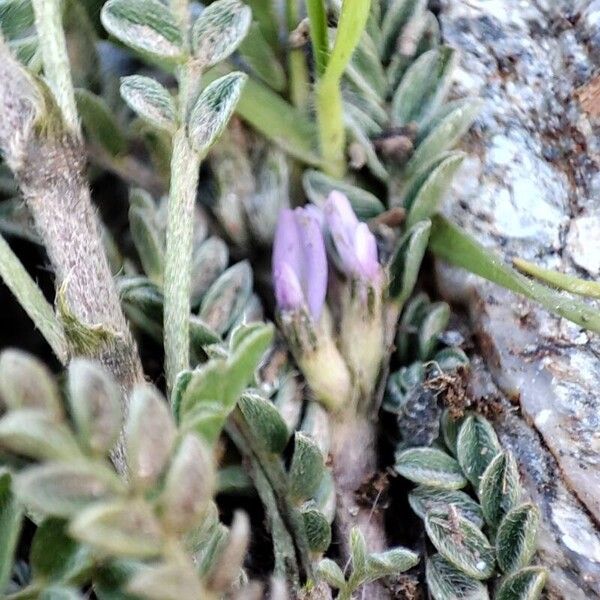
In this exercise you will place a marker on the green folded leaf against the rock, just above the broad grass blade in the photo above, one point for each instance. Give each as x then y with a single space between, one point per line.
431 193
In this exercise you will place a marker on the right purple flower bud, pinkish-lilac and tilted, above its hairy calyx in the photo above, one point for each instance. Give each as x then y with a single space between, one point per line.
353 241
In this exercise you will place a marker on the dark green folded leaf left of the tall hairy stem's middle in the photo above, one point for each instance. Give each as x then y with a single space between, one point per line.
146 234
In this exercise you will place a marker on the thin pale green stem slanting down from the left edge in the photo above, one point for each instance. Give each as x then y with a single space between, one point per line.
32 300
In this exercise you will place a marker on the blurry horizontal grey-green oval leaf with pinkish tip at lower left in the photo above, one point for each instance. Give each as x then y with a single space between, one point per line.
63 489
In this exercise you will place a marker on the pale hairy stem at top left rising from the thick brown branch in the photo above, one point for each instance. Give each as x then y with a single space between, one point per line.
53 46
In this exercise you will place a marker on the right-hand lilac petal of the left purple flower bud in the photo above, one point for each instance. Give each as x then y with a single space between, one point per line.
314 273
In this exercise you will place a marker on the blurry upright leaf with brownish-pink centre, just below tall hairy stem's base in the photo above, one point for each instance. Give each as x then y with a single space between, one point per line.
149 435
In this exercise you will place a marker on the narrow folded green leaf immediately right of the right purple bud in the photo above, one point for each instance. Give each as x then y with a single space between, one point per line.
406 261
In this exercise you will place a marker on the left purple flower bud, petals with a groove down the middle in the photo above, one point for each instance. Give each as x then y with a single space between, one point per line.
299 262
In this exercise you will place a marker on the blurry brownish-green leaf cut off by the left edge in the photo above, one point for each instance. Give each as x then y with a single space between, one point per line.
26 382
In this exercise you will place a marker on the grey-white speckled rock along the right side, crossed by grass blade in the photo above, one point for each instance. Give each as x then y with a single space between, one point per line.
532 189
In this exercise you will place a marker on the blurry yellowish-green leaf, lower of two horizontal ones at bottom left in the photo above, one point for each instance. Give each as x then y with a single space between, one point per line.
126 528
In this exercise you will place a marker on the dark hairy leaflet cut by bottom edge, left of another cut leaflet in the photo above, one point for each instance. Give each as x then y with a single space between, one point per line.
446 582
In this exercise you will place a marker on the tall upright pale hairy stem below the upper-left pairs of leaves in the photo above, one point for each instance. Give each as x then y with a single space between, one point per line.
185 165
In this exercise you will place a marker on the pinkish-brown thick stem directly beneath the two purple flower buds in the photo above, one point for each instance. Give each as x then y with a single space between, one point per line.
354 454
